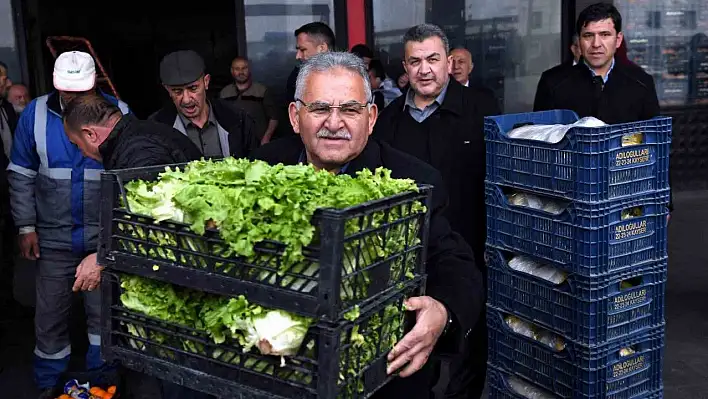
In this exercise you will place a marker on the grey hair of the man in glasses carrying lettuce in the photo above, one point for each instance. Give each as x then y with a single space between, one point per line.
324 62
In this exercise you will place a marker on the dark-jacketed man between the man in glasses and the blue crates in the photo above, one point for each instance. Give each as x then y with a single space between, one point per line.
442 123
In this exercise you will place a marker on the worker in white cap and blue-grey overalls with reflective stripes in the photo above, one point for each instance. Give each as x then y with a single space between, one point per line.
54 190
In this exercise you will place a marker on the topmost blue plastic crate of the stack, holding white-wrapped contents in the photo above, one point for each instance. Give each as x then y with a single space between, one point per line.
589 164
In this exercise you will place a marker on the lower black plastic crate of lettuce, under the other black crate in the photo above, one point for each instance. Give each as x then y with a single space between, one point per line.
331 362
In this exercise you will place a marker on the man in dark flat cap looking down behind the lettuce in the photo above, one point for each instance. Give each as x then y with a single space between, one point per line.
218 128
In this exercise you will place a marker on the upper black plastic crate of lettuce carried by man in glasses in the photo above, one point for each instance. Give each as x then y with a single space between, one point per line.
352 248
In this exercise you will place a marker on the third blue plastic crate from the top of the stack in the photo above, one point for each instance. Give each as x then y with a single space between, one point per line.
587 310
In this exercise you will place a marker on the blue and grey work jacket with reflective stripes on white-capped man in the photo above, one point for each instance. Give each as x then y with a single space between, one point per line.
52 185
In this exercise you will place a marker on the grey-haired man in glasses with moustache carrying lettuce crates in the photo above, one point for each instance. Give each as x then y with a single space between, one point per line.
334 117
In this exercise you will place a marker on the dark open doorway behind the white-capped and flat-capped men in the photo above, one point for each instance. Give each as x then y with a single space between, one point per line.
131 37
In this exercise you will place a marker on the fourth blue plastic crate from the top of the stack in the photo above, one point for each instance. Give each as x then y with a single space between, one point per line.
579 371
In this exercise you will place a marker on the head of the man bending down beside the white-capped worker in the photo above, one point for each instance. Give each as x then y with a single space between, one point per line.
88 121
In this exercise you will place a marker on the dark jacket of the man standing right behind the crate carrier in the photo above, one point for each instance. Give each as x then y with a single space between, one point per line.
452 141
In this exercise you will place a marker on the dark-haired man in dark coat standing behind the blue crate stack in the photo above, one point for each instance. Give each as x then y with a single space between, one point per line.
598 86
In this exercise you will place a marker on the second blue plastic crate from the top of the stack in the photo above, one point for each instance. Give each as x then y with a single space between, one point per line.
586 238
